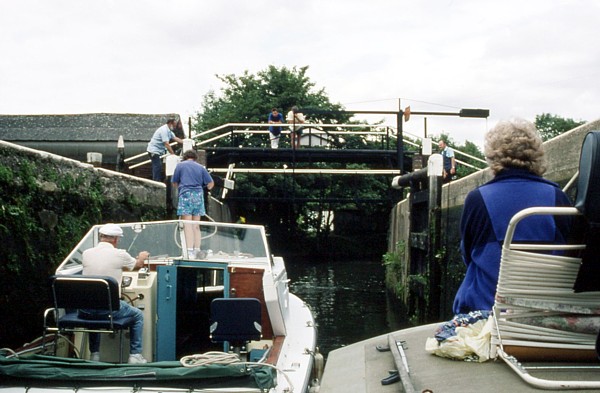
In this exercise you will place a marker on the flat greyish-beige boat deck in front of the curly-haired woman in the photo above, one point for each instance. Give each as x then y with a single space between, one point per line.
360 367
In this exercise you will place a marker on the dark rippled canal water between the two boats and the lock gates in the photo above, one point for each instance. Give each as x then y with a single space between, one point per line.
348 299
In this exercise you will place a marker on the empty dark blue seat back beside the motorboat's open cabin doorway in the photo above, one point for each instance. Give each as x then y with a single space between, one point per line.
235 320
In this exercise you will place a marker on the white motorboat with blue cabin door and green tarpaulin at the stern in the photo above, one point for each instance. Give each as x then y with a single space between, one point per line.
220 319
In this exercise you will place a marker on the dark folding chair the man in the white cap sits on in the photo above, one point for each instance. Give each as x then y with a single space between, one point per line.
75 293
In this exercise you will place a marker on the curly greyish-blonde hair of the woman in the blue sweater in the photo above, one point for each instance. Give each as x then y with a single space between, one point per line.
515 144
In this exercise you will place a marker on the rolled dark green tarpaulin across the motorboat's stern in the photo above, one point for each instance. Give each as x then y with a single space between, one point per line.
77 371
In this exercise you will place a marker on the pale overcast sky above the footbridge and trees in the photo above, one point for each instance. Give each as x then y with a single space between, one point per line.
515 58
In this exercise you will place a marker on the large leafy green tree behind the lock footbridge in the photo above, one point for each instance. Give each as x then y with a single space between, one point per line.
265 199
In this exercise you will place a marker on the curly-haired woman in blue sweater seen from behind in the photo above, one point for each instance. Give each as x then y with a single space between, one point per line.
514 152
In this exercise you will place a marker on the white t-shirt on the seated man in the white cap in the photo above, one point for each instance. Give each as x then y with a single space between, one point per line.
106 260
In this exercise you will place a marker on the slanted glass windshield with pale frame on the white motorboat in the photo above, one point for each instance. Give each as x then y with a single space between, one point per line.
166 241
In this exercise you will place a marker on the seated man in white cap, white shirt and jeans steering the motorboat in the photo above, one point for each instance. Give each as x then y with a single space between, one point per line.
107 260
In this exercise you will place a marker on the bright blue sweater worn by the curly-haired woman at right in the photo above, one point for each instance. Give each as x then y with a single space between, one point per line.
487 211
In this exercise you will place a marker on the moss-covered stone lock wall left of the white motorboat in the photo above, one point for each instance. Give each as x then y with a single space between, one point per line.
46 206
